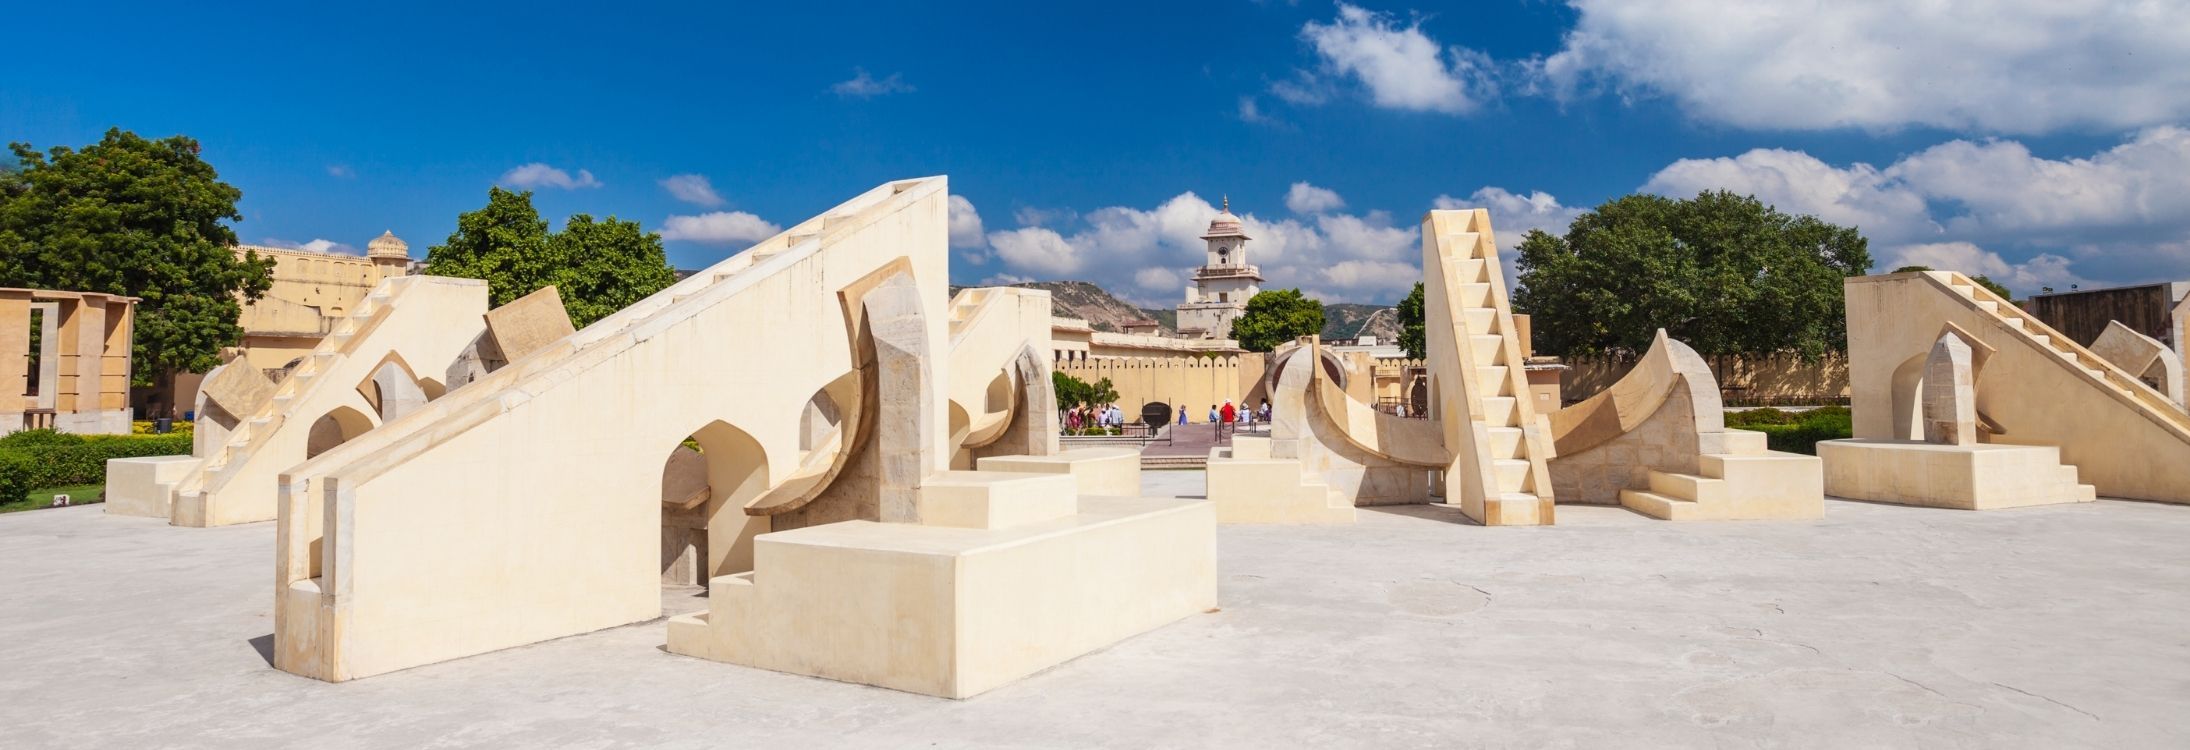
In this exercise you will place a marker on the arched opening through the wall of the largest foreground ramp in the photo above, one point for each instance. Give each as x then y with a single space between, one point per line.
706 484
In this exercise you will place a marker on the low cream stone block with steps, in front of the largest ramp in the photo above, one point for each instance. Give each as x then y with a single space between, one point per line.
956 613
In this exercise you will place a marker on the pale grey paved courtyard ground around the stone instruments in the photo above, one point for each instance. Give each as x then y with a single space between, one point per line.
1878 626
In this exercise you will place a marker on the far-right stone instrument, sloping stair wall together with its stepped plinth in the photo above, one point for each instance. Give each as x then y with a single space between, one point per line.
2022 418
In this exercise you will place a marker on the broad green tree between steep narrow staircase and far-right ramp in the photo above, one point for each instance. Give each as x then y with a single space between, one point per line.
1722 273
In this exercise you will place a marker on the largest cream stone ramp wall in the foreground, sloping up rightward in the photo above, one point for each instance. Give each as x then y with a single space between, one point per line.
527 505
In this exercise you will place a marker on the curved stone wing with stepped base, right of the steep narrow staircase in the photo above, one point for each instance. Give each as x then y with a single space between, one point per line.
1657 444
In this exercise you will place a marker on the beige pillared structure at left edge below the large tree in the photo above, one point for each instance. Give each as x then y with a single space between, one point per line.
78 378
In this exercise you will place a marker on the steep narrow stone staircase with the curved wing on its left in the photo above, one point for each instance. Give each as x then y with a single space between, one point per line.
1482 444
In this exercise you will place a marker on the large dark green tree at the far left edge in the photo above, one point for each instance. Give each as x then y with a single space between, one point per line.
139 218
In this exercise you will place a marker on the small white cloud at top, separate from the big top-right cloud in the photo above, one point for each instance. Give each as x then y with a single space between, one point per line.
1401 65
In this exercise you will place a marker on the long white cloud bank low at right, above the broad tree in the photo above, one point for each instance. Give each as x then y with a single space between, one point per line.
2119 216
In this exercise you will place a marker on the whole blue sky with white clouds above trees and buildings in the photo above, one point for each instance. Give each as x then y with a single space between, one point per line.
2031 141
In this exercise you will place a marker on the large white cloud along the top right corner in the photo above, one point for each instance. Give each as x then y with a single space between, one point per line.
2022 67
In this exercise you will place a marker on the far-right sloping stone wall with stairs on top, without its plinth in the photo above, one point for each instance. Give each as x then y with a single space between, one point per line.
2036 387
